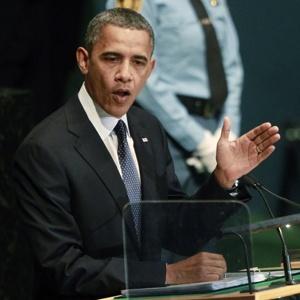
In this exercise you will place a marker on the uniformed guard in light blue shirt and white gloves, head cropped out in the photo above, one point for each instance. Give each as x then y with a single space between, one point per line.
194 84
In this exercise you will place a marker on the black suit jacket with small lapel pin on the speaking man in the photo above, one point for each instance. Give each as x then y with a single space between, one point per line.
71 199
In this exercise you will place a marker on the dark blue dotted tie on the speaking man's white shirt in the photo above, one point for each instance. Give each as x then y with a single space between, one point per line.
129 174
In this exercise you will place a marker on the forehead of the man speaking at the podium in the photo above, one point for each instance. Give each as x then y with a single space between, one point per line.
114 38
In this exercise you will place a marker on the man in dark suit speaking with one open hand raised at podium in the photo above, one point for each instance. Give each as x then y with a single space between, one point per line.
70 178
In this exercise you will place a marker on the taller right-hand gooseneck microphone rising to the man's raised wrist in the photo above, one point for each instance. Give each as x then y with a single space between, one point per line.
252 182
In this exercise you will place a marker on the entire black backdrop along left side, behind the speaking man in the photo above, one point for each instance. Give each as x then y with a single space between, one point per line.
37 50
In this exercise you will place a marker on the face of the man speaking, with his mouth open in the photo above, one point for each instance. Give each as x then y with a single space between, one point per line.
117 67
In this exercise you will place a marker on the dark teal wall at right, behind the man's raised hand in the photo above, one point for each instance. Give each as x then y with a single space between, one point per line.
269 32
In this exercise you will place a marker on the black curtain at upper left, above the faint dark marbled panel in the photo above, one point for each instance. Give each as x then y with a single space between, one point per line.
37 49
